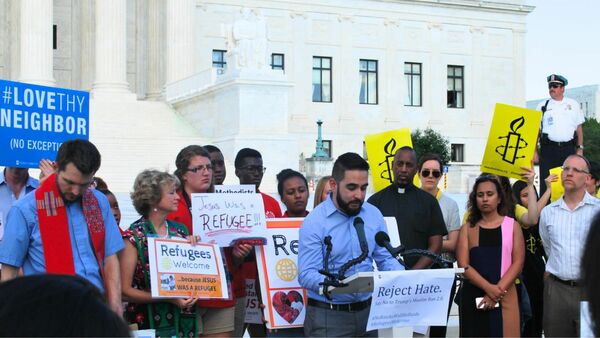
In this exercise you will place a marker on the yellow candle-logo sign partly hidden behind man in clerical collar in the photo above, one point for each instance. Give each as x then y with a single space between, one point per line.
381 149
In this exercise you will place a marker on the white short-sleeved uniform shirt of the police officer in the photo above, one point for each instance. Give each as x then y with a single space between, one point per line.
561 119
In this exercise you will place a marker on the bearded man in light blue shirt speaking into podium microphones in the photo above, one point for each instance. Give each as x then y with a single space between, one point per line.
347 225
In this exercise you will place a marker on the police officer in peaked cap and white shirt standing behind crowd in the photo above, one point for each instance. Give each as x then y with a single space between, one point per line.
561 133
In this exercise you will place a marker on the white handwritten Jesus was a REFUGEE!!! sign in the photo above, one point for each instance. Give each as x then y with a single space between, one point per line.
227 217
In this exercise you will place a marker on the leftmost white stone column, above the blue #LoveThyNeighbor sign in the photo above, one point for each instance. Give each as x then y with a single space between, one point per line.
37 55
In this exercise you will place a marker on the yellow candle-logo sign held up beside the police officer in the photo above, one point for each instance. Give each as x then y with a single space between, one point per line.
512 140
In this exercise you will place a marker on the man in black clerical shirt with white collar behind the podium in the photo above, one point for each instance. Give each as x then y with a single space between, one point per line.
418 214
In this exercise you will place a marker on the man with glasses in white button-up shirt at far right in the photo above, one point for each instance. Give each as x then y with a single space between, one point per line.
564 226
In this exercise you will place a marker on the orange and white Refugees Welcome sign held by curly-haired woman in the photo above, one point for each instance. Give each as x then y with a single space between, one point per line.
179 269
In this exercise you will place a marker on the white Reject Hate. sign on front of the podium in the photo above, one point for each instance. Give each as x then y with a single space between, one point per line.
410 298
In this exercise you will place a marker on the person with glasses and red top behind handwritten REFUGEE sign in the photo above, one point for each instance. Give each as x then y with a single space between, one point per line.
194 170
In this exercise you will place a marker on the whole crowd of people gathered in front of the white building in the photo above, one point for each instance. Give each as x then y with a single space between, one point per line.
526 268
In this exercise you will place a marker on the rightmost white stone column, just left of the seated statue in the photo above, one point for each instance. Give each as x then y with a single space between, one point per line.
180 39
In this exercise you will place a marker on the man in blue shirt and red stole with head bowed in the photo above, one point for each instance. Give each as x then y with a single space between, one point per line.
64 227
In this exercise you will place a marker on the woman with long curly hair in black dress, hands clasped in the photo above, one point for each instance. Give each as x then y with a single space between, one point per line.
491 250
